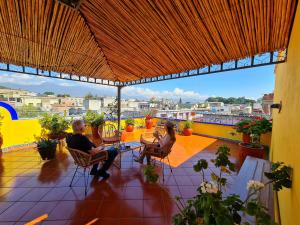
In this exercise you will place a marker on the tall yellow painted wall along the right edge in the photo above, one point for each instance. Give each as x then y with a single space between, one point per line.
286 125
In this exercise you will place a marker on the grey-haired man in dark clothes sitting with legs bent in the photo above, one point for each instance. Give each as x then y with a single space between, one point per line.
79 141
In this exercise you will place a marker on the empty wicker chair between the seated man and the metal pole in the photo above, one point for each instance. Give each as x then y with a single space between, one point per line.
109 134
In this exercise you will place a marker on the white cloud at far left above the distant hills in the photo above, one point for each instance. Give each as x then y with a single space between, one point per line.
22 79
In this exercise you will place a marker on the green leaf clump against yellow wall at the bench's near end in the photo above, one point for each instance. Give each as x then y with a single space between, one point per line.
280 175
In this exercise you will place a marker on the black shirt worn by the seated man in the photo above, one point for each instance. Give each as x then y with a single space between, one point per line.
80 142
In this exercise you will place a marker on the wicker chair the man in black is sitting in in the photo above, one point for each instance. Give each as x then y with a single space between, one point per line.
86 161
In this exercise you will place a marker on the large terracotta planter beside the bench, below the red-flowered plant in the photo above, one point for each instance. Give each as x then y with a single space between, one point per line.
246 150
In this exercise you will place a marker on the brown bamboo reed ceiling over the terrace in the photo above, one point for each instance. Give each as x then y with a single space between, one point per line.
129 40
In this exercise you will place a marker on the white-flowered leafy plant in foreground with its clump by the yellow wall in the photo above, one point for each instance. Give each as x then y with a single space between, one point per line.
211 207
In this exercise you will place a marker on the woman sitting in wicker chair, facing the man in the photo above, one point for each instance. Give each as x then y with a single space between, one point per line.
158 146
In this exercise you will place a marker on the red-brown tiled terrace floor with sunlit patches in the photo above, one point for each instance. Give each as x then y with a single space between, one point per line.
30 187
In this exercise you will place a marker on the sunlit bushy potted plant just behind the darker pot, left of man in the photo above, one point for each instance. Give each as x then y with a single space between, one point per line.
55 125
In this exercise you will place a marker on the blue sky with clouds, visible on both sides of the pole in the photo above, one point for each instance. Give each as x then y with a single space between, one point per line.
251 83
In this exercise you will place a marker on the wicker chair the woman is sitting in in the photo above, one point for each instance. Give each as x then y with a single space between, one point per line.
162 154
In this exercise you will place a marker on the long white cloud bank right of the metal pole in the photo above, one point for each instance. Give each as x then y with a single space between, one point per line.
176 93
